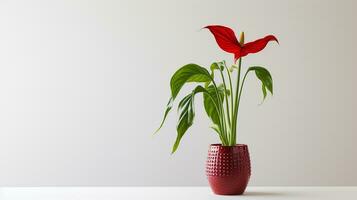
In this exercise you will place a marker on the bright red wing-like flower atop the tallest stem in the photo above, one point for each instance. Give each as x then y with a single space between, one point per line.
228 42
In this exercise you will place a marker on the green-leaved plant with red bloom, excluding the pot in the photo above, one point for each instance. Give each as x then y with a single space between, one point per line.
221 100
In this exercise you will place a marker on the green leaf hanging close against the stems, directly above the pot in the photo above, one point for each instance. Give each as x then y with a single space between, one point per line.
210 101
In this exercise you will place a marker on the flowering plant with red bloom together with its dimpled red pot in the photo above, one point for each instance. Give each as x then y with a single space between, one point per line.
228 163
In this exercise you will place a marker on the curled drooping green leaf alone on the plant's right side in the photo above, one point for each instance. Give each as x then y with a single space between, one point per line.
264 76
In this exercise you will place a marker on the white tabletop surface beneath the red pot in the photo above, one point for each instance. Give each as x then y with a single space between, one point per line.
172 193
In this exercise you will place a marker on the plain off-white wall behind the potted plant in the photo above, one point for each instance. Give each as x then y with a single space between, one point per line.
83 85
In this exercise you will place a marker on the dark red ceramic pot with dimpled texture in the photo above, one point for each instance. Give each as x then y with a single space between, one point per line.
228 168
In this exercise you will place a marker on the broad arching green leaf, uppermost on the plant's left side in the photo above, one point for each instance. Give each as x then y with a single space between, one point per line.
186 74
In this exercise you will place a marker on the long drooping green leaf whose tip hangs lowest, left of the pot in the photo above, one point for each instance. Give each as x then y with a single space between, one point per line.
187 114
